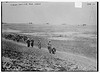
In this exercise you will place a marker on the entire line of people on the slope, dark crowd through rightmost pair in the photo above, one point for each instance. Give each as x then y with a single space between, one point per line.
30 42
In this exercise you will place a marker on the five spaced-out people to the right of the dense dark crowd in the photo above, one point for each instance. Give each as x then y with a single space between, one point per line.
30 43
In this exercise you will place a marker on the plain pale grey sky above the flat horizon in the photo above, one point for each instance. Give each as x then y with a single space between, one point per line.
49 12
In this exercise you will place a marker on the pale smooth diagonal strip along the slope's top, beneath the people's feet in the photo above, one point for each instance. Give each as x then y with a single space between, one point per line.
81 61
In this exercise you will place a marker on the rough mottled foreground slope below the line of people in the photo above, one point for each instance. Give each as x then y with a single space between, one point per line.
41 60
